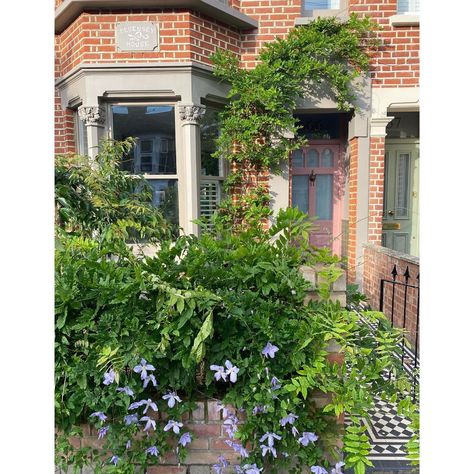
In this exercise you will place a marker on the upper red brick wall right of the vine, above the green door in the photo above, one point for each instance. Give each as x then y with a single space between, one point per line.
398 62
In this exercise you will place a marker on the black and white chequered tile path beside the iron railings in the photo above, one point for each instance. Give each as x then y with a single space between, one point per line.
388 431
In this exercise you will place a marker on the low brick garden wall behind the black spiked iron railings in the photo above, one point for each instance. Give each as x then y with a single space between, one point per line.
378 265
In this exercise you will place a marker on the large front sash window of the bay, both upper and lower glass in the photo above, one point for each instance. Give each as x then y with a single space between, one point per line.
154 155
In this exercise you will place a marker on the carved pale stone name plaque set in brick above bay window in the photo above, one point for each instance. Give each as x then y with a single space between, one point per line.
136 36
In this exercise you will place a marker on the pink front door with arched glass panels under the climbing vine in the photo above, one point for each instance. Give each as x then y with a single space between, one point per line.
317 190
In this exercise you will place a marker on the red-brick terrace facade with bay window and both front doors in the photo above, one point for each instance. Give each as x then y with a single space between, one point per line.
142 69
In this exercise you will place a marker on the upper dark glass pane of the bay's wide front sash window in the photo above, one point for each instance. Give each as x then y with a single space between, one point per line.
154 126
